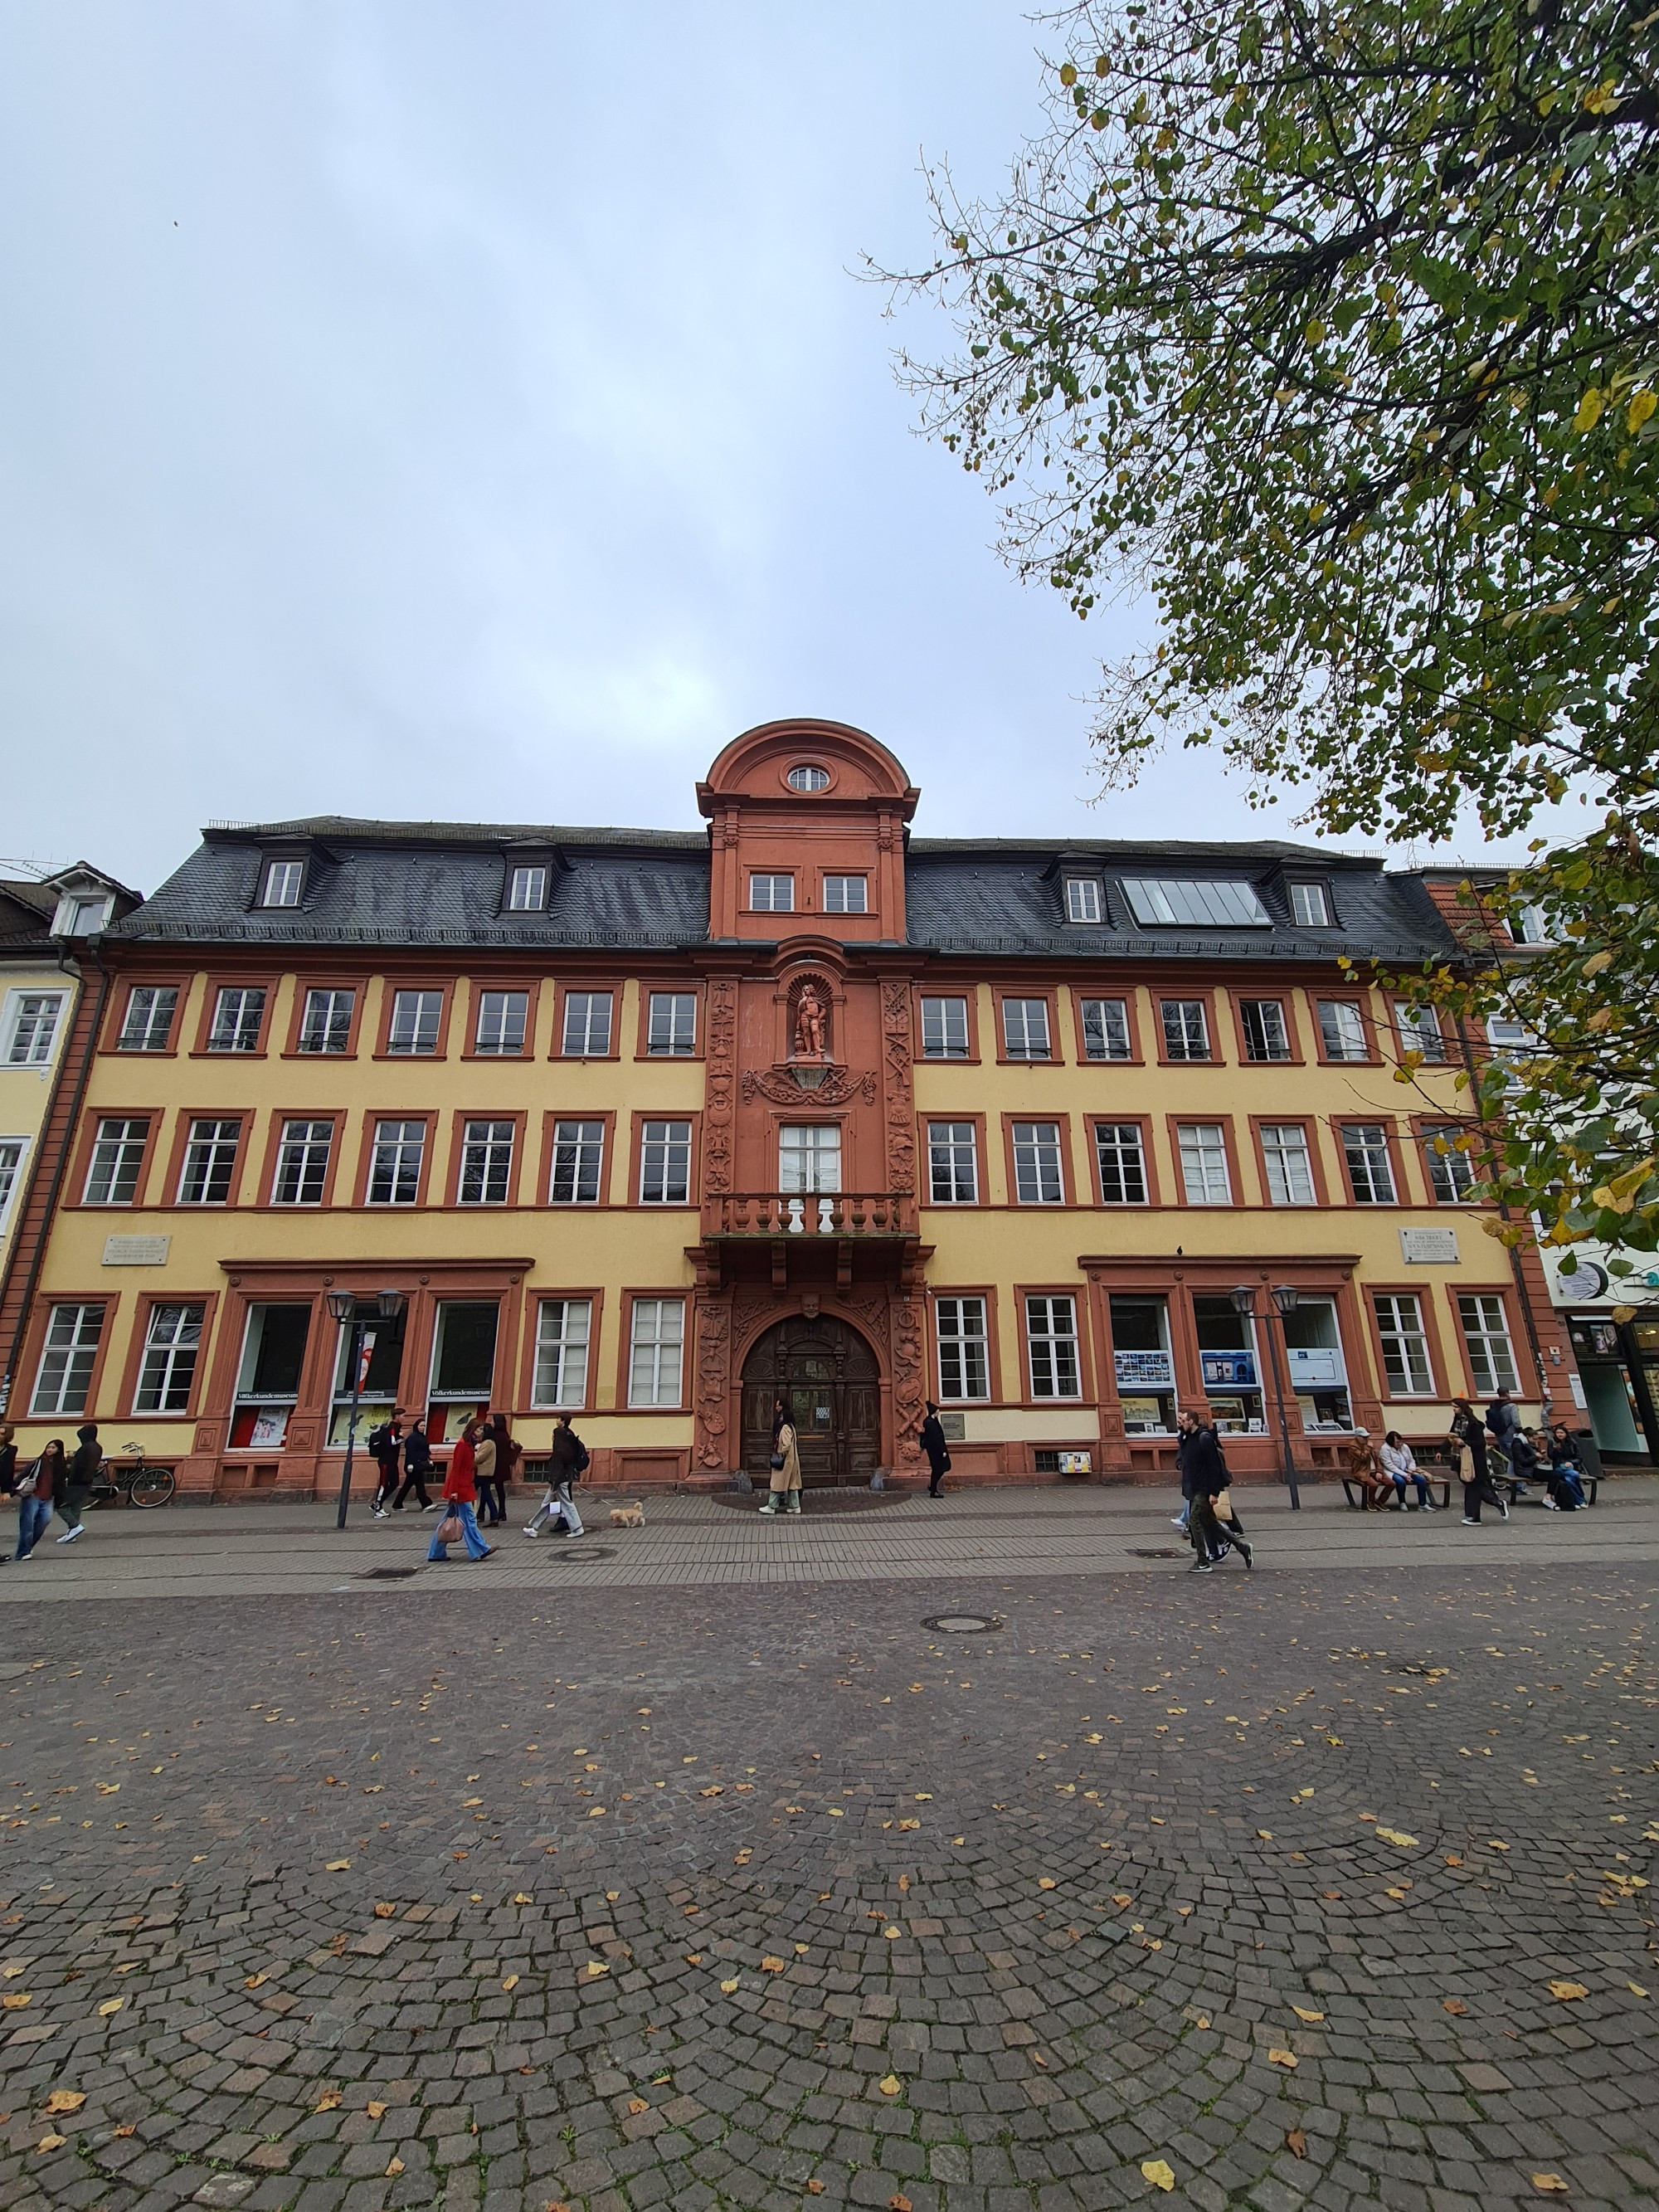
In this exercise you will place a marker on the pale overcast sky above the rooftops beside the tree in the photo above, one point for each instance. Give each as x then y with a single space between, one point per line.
472 410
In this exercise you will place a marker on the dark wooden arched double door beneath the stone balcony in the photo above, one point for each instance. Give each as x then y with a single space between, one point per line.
831 1388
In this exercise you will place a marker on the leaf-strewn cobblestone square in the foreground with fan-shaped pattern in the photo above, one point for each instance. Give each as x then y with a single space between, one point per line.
1306 1888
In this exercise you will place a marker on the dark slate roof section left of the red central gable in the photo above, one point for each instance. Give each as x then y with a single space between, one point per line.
437 884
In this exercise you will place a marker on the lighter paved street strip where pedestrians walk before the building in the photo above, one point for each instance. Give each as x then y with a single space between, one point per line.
693 1543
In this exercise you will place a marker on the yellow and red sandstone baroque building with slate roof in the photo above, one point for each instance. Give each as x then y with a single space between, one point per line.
665 1127
